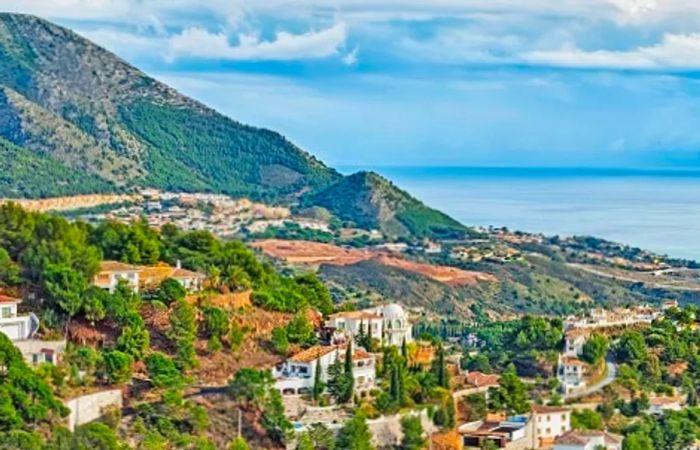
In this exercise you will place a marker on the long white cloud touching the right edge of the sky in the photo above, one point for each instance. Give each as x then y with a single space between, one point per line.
673 52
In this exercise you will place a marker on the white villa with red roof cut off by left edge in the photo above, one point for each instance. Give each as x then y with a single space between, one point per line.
21 328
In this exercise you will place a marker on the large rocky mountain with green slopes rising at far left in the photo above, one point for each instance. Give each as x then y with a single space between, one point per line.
67 100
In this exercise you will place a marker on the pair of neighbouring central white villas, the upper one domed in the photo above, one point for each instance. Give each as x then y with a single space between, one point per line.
387 324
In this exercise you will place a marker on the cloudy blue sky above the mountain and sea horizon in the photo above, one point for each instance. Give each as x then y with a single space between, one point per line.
427 82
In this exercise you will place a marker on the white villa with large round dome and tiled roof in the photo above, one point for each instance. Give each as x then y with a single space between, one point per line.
388 324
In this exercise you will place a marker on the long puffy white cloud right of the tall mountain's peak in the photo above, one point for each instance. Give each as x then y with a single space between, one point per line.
200 43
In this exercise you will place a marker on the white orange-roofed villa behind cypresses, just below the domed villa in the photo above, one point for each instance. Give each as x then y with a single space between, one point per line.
296 375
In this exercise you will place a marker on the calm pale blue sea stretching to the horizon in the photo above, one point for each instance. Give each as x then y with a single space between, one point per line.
657 210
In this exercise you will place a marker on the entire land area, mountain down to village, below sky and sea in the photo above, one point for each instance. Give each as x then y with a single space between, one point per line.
171 278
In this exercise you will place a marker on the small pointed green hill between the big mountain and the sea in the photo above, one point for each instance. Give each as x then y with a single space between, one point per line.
373 202
